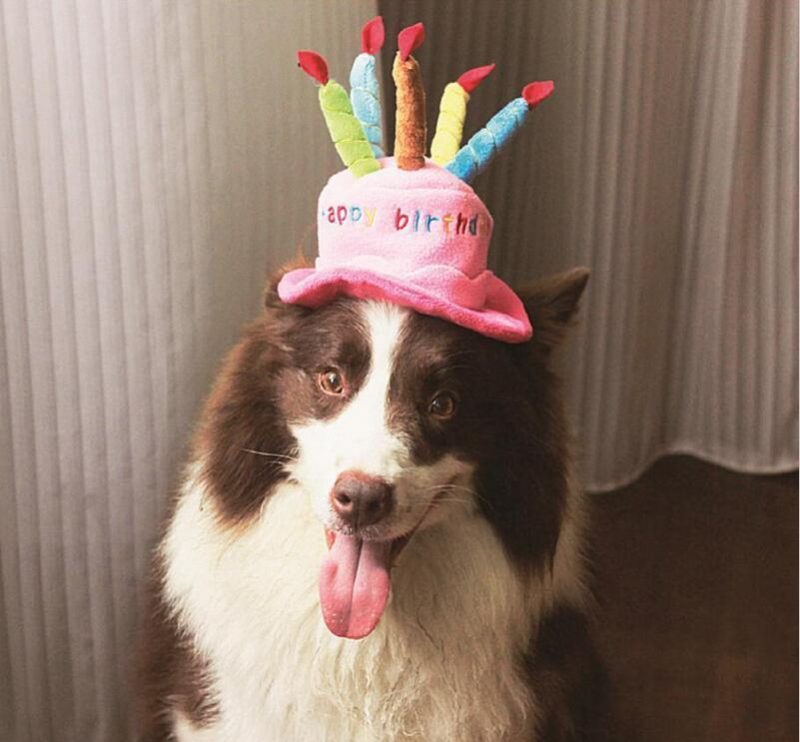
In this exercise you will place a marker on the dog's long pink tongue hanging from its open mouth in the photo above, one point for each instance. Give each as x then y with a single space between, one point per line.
354 585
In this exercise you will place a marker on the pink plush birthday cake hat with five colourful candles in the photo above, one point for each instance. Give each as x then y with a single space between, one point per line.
408 229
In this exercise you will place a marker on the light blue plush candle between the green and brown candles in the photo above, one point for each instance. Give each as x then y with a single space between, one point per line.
364 89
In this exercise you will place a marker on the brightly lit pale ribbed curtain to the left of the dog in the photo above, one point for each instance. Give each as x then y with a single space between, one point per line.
156 158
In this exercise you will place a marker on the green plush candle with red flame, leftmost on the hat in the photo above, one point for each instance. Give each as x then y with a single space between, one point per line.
345 129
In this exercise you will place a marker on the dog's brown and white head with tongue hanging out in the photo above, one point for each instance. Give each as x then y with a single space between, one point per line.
392 421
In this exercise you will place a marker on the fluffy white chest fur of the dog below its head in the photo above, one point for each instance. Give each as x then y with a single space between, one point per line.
441 665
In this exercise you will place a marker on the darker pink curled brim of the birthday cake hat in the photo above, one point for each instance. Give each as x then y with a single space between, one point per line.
503 316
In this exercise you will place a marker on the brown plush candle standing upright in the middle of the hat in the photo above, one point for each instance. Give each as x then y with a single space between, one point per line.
409 140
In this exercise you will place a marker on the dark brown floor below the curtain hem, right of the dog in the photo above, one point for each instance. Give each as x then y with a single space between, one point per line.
697 574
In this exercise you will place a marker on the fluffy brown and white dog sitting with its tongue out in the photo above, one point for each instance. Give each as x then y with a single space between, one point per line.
365 472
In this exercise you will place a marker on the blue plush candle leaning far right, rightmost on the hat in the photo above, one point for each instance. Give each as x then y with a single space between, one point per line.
482 147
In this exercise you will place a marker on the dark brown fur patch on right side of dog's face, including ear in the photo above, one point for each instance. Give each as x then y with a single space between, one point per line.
510 420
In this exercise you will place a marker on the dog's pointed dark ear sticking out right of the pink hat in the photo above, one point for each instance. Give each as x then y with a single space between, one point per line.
551 305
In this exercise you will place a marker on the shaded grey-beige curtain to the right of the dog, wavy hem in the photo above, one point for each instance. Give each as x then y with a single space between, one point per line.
667 162
